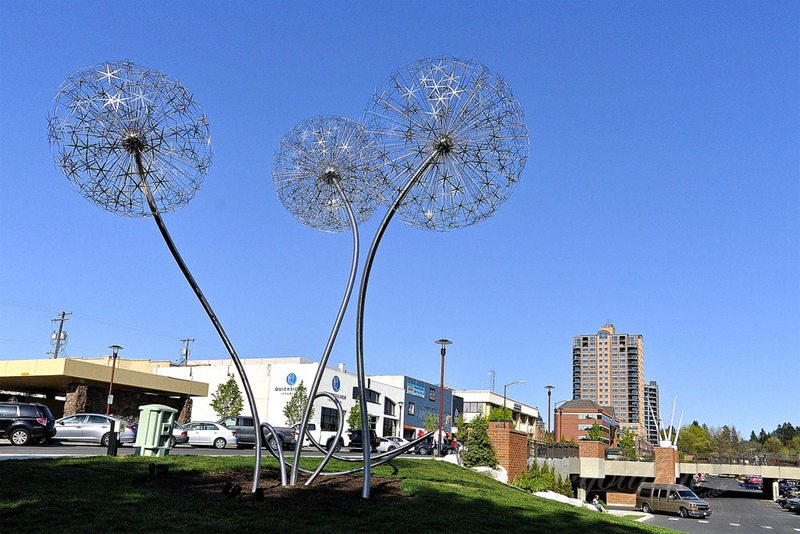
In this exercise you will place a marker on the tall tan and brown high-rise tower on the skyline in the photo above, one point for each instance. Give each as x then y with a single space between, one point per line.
608 368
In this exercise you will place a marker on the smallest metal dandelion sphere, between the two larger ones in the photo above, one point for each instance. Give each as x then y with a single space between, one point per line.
323 163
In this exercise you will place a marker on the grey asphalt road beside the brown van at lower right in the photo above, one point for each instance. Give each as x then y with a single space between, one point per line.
734 511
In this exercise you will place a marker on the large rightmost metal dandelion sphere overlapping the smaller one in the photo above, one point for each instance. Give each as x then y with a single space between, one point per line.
469 117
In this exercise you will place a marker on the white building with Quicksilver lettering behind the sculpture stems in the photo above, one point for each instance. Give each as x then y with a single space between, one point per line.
274 381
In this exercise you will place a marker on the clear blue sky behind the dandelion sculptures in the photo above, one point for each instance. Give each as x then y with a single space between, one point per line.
661 194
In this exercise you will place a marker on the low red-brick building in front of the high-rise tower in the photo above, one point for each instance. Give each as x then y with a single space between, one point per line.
575 418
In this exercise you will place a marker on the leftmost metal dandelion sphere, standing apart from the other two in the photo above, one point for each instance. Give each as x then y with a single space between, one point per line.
108 116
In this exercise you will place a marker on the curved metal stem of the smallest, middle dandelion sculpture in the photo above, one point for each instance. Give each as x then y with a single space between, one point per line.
312 394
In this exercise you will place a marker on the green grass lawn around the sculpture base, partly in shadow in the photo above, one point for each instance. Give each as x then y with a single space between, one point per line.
103 494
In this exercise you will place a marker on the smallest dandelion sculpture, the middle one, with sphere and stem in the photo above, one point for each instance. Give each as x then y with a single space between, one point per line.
325 174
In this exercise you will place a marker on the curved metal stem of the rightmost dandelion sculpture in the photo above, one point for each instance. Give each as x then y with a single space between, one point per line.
362 294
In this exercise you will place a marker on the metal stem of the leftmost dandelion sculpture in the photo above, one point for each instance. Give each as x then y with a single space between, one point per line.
207 307
